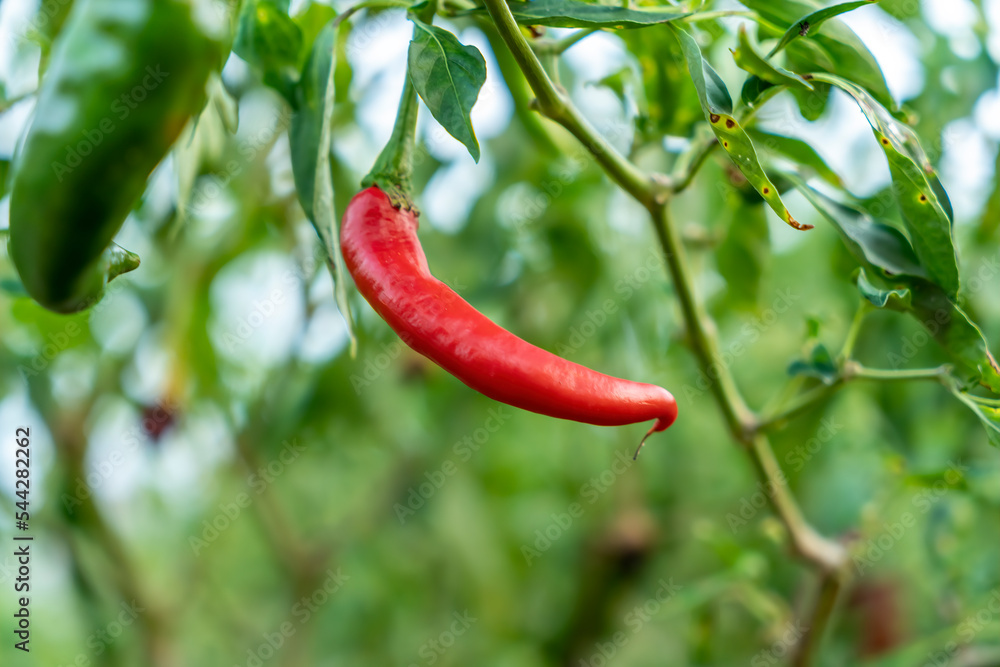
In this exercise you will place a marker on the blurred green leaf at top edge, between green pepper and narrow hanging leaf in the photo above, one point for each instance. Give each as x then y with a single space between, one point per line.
271 42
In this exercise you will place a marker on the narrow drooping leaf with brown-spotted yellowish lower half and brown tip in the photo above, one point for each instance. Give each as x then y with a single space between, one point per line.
718 108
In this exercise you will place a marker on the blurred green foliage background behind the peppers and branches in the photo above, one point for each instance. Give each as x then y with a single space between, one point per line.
388 471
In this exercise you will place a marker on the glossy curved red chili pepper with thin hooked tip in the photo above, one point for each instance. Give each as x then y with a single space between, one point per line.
385 258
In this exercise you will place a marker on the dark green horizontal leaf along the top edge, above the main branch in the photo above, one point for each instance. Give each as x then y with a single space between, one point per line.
575 14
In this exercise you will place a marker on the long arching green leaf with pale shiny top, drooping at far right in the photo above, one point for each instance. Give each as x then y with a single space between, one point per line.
927 217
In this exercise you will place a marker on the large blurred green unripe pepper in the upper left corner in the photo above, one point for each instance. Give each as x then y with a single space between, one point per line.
124 79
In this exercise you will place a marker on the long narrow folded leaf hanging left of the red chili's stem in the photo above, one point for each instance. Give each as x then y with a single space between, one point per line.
309 135
